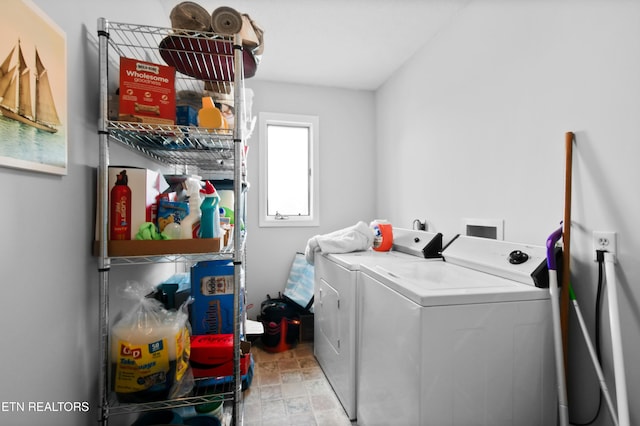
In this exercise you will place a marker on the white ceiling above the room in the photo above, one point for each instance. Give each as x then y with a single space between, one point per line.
355 44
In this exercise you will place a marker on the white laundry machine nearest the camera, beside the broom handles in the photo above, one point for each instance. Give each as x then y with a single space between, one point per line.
467 341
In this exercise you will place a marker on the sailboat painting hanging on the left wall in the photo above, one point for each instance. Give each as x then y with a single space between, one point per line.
33 90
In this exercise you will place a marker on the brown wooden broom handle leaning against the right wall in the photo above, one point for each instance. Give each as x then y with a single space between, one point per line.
566 243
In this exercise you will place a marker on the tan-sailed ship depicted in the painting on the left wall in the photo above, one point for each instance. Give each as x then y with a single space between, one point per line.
15 94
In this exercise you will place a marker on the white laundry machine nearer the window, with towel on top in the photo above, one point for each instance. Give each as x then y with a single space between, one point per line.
335 304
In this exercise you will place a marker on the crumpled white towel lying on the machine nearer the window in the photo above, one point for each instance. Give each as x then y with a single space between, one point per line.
354 238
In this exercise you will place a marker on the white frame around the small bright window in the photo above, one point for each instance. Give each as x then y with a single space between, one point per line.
312 123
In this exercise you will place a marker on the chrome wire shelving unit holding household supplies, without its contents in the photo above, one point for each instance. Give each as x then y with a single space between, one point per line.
209 150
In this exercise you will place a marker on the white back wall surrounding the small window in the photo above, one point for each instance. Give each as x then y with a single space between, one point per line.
347 193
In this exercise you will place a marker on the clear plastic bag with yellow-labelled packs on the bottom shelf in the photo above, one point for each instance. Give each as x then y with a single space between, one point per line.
150 349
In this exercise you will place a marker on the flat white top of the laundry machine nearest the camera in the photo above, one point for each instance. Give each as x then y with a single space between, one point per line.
441 283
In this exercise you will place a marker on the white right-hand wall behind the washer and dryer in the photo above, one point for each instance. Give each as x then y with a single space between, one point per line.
474 126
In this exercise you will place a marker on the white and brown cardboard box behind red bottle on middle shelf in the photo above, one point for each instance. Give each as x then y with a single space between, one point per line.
145 187
